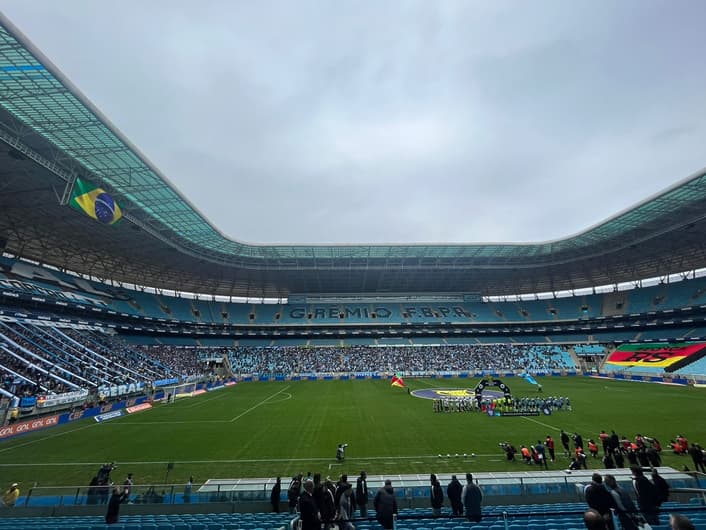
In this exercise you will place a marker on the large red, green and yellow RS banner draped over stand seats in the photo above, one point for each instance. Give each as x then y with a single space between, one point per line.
670 355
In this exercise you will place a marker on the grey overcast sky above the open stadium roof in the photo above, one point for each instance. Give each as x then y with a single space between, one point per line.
381 121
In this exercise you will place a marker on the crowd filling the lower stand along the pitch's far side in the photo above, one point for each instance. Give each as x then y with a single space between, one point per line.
287 360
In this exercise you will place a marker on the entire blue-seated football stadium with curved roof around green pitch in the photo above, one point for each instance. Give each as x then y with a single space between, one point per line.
153 366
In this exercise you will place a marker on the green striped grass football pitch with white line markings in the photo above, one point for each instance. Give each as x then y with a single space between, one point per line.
283 428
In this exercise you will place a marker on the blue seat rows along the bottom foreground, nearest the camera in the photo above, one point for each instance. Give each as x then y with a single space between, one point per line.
558 516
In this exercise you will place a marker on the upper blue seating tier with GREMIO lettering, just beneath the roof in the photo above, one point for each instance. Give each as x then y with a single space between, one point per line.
53 290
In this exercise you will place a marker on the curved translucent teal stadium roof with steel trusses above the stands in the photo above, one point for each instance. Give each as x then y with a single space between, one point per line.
54 134
